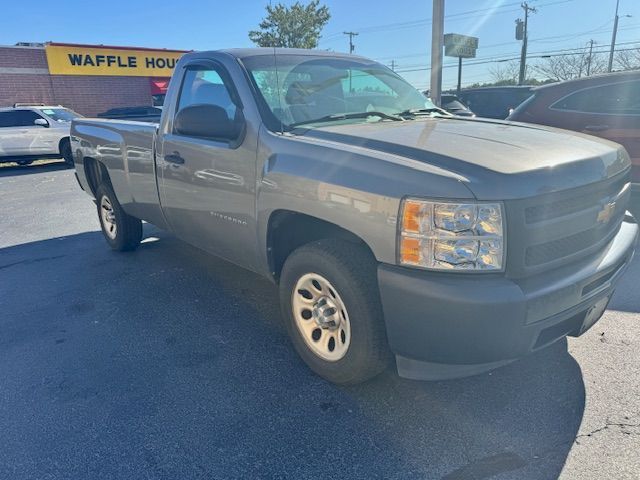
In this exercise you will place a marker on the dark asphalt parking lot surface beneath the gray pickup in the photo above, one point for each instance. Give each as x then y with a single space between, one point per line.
166 363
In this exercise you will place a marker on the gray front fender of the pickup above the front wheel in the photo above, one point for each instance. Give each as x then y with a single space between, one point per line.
357 190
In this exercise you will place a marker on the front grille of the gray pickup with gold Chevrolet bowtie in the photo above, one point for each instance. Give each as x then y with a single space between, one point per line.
556 229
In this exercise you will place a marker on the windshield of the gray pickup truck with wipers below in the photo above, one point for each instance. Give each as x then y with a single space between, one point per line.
298 89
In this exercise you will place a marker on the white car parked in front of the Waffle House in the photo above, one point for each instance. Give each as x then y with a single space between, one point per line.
29 133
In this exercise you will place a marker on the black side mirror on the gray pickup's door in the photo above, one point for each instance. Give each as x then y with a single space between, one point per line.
206 121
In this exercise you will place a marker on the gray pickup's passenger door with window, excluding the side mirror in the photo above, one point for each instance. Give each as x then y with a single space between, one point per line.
207 187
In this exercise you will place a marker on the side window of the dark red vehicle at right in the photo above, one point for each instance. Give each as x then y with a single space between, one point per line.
615 99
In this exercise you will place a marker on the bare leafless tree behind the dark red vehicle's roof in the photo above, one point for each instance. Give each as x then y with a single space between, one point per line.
574 65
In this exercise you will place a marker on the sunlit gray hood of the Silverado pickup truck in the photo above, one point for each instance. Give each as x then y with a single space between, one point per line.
496 160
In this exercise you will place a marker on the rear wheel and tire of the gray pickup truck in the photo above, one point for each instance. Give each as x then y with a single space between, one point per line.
122 231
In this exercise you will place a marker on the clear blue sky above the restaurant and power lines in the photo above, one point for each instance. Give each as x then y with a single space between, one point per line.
398 31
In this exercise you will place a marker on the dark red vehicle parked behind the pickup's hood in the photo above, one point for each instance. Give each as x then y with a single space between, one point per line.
604 105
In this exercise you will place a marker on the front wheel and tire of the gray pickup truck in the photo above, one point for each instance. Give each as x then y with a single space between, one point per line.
348 302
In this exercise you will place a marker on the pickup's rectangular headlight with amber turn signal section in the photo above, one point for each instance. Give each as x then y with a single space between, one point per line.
451 236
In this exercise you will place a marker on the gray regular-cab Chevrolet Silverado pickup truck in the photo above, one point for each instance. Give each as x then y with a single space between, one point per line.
393 229
